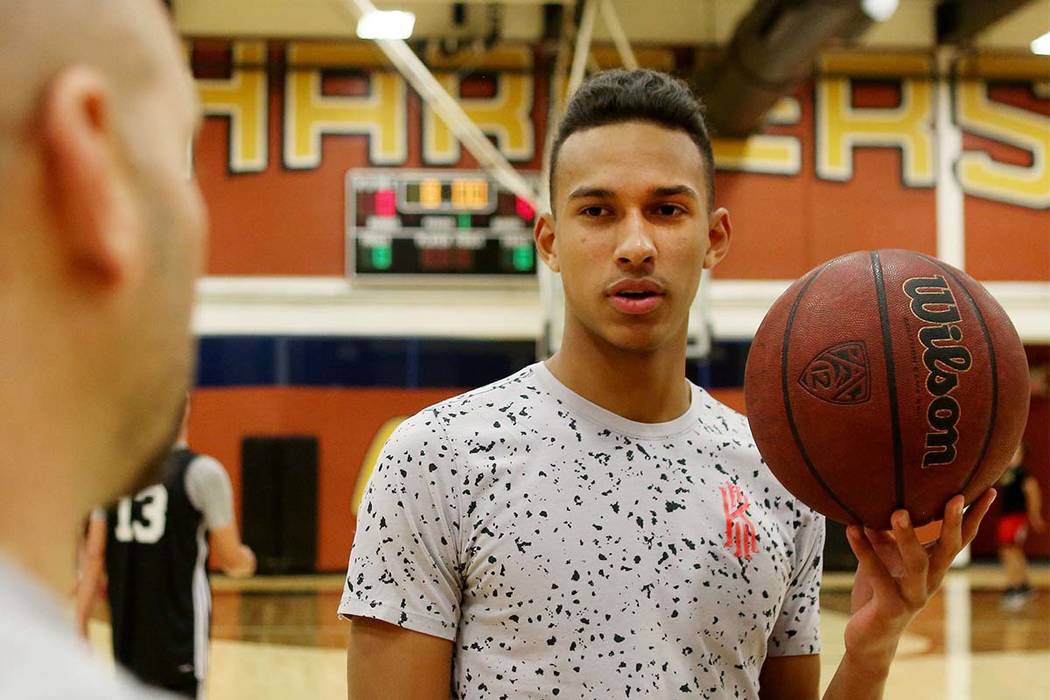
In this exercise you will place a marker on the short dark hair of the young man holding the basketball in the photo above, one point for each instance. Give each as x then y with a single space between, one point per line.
615 97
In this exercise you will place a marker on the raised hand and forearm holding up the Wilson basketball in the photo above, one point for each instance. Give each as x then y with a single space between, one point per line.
896 577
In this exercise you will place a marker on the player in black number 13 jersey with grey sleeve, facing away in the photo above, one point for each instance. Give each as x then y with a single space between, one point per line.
154 550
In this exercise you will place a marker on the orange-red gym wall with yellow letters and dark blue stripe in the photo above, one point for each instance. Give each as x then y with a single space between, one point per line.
848 163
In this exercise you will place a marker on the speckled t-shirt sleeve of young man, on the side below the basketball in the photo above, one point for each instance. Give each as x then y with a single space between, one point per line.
797 630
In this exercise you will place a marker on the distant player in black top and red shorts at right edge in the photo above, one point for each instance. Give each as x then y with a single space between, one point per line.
1022 507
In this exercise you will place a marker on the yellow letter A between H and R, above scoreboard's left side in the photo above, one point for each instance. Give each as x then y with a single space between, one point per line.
309 115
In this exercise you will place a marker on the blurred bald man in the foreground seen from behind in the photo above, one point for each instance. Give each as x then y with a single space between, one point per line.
101 237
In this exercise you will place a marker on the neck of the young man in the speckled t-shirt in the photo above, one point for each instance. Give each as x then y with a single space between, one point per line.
644 387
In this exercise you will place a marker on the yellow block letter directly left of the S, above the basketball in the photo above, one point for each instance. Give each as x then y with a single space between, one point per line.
842 128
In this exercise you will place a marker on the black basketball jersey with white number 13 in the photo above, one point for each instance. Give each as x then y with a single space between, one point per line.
159 596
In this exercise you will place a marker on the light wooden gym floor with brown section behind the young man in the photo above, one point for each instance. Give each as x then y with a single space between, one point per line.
281 639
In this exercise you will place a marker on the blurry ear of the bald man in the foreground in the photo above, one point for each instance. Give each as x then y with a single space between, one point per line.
89 195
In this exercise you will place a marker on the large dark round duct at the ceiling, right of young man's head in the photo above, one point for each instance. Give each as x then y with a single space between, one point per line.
773 51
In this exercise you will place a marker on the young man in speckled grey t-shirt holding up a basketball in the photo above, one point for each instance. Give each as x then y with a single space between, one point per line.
597 526
